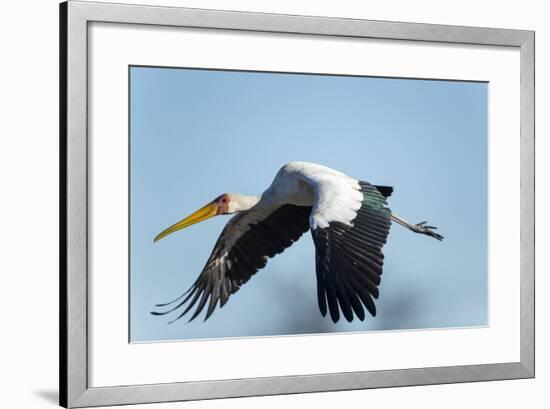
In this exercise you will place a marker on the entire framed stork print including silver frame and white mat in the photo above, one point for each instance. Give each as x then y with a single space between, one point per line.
258 204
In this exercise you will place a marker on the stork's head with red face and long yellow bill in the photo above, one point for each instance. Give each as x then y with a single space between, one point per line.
226 203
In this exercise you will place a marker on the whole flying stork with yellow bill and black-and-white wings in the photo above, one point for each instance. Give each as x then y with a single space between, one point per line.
349 221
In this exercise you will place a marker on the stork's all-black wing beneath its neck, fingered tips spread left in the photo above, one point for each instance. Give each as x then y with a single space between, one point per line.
243 248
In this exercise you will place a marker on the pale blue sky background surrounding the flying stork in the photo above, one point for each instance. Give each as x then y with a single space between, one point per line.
198 133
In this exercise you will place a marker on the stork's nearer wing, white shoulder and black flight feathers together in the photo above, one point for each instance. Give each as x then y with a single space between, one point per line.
349 257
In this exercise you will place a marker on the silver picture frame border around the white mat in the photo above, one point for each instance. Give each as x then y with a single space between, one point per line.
75 16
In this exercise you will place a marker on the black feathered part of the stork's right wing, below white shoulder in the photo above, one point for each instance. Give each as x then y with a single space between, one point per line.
349 259
